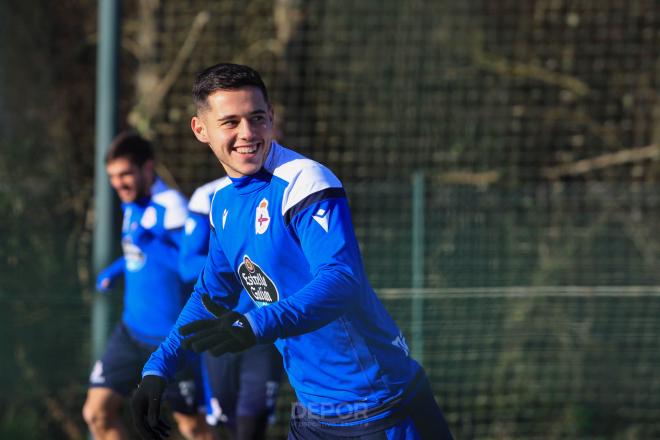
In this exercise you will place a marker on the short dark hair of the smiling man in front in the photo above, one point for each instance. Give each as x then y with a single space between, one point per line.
225 76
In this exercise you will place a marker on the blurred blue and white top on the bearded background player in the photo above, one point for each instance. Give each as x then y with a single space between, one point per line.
151 235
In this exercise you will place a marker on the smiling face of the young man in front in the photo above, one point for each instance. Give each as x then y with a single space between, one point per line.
238 126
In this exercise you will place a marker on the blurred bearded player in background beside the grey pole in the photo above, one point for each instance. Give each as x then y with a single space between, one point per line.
154 294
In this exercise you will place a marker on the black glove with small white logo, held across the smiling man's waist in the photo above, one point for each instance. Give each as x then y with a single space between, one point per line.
230 332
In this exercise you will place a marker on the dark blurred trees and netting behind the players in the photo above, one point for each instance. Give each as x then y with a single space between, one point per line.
535 124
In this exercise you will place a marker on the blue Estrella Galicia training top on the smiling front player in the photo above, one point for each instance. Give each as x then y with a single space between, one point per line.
284 238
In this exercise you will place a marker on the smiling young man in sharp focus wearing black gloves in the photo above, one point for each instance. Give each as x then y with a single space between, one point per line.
281 234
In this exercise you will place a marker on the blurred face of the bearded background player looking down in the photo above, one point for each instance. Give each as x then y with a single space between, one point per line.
129 180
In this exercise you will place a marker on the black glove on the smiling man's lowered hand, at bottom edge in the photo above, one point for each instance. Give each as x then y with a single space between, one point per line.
145 407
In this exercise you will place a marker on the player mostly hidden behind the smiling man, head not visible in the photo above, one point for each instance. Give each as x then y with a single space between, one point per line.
243 386
